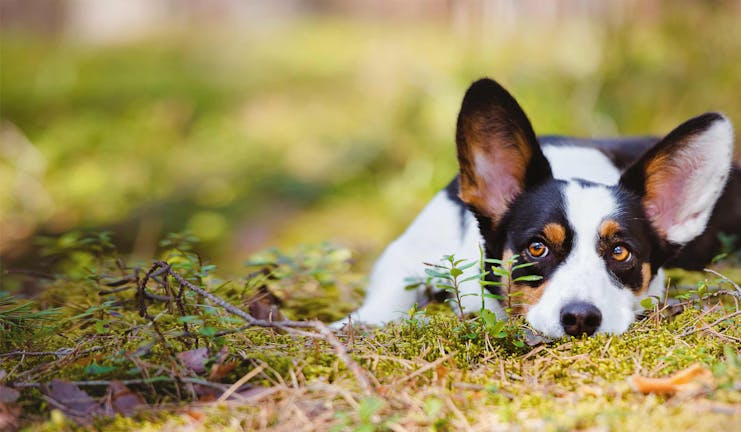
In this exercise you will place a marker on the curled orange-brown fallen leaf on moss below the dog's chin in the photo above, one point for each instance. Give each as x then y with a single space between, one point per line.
687 381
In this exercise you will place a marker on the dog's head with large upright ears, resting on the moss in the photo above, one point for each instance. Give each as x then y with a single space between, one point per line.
597 247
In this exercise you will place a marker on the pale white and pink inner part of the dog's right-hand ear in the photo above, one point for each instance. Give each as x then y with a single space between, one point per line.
707 160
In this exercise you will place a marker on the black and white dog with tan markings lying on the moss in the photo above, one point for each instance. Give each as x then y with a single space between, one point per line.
598 218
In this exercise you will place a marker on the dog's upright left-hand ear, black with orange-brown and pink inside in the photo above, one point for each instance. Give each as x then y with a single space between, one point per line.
498 153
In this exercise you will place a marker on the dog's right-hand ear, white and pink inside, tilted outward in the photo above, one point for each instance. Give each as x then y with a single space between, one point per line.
680 179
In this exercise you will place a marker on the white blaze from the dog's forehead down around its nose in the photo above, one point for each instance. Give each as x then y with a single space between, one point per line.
583 276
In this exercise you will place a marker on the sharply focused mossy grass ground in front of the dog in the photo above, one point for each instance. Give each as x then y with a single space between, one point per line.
429 372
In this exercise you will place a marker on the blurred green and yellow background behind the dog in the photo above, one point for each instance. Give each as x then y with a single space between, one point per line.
264 123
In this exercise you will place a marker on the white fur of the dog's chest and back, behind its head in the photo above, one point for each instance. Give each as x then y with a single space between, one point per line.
437 231
